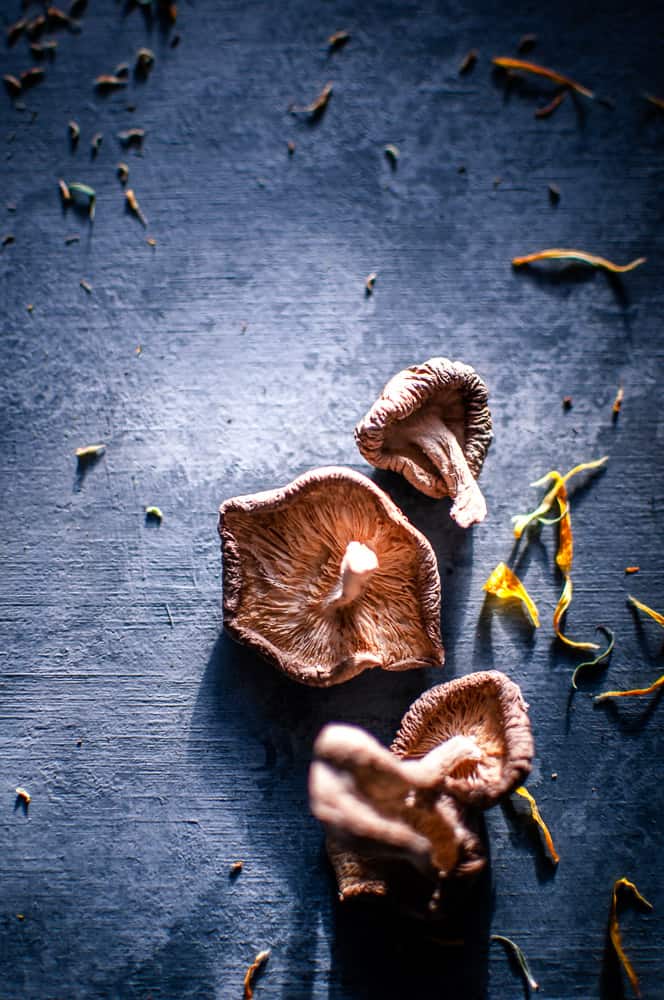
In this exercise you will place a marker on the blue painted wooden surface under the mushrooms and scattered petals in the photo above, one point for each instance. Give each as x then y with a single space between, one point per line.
155 750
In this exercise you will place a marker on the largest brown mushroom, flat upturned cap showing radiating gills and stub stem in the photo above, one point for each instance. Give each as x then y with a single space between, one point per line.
326 577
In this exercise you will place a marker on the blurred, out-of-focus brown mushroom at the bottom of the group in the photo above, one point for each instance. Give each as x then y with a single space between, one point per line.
377 808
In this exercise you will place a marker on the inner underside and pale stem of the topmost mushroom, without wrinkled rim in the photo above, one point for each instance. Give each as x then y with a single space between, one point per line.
437 448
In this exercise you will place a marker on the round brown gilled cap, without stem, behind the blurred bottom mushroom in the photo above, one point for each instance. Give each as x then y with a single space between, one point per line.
487 707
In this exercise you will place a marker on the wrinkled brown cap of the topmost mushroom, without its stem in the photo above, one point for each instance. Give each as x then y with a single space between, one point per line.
412 405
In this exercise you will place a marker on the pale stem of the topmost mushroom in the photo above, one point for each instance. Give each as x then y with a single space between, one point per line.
442 447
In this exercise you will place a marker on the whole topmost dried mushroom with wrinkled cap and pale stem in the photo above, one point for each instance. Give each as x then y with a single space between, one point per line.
432 423
